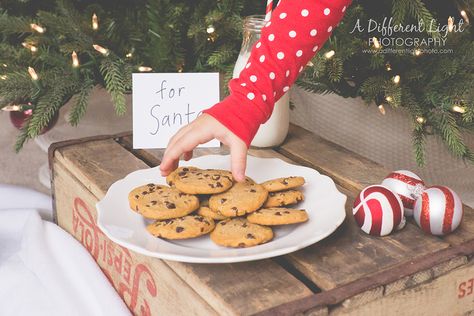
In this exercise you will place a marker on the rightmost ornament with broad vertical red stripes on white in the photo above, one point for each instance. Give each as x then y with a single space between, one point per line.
438 210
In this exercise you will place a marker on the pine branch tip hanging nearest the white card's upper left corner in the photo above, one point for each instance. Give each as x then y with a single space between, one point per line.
111 70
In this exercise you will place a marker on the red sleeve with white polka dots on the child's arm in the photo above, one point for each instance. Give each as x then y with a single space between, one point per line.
295 32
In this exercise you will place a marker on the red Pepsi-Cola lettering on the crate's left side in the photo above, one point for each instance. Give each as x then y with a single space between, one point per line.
114 260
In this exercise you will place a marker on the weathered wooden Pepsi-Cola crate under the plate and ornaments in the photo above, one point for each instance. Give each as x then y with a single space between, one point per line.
406 273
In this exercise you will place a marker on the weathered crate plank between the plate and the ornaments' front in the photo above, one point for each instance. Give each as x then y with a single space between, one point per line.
350 254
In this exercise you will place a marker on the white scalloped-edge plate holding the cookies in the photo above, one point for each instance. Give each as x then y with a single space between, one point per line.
323 202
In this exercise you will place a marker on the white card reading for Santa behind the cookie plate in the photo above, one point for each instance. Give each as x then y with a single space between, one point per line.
164 102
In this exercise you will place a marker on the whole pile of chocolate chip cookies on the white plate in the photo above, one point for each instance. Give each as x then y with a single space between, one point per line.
236 214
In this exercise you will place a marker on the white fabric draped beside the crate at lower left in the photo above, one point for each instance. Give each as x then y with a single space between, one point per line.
44 270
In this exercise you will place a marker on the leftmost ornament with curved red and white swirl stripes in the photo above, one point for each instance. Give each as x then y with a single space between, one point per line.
378 211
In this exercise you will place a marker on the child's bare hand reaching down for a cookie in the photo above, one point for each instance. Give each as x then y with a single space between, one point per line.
200 131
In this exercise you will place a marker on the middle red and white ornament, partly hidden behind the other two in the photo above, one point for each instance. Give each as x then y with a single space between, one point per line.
407 185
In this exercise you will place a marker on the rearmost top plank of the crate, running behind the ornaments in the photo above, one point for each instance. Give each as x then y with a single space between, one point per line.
352 171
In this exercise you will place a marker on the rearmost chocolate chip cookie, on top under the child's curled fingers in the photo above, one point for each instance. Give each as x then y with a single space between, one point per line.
198 181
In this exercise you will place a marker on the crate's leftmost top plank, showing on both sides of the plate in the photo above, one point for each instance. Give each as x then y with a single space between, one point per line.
236 289
